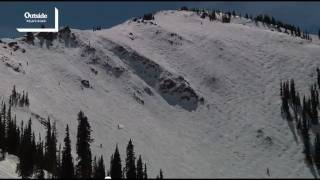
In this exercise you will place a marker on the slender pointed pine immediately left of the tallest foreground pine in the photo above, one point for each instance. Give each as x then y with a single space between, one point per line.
67 167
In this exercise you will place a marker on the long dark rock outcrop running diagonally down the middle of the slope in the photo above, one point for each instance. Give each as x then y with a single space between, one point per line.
173 88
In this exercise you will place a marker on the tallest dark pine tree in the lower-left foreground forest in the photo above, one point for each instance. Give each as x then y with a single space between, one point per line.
84 166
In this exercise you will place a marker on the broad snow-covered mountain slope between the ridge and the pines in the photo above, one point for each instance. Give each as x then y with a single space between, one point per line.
198 98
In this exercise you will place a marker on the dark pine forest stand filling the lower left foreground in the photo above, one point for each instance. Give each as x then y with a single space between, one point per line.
37 156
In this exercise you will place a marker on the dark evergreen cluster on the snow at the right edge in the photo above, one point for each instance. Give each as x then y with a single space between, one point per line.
304 114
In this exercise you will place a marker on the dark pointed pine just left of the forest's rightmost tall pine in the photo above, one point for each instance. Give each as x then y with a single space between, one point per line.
115 165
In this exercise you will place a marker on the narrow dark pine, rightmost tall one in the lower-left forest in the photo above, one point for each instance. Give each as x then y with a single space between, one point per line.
130 162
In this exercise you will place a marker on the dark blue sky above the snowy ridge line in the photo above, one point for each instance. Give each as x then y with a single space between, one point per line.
85 15
